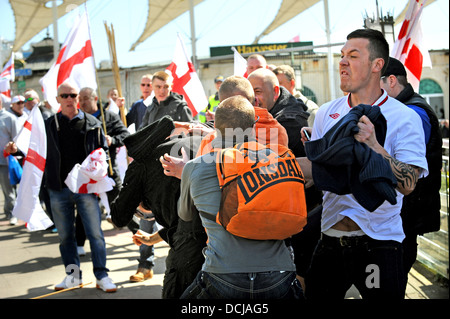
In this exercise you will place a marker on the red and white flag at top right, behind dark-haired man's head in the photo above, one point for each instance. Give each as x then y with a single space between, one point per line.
409 48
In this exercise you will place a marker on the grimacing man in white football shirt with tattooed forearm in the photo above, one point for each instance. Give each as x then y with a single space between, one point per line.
358 246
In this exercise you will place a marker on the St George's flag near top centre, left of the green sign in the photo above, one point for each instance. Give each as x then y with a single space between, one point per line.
185 80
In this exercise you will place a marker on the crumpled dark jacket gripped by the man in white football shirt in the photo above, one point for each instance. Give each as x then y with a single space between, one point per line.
342 165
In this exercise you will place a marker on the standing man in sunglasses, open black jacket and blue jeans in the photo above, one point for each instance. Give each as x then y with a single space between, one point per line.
71 136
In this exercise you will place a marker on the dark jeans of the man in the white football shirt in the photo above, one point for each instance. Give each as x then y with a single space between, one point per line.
375 267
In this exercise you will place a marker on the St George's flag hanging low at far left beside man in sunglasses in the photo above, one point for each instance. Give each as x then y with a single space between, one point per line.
32 141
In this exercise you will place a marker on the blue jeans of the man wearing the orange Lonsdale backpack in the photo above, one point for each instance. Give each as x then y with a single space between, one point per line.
262 285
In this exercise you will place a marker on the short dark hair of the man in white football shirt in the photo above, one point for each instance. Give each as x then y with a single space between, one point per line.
378 46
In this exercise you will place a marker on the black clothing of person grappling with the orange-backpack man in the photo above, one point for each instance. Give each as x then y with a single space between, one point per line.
145 182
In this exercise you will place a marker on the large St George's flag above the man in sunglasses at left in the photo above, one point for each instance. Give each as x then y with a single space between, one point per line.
75 63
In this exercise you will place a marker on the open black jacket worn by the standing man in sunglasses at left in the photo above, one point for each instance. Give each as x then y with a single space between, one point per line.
93 139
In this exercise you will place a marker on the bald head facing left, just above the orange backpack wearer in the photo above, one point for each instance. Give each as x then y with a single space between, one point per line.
266 87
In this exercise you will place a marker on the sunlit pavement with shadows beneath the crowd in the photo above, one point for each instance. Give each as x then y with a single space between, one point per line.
30 266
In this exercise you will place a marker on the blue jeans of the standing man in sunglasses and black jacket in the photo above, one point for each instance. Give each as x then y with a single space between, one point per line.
63 206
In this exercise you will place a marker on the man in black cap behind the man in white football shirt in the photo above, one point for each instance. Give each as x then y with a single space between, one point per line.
421 209
